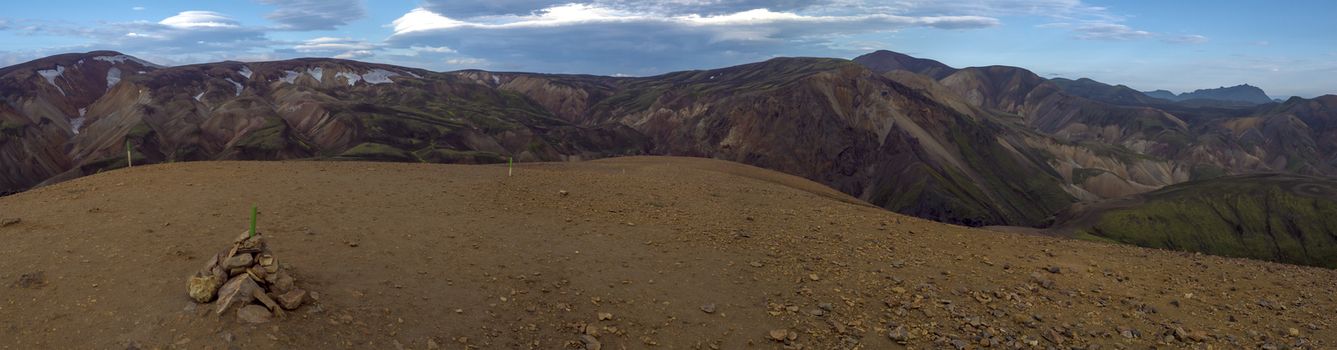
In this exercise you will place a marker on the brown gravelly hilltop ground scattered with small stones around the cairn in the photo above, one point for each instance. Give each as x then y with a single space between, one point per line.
634 253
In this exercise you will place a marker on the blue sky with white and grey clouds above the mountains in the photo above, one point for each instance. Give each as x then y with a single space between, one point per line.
1288 50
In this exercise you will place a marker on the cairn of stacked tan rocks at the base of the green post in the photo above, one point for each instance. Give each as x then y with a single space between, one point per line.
247 279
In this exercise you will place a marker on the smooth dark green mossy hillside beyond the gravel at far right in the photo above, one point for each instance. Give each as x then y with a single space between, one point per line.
1276 218
